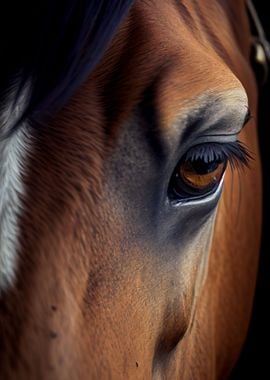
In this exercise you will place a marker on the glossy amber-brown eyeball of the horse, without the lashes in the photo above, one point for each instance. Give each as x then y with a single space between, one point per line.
196 178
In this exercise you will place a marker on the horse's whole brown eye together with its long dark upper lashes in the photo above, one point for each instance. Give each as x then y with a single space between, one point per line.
201 169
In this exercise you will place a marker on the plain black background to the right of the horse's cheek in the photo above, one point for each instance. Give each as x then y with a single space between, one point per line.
254 362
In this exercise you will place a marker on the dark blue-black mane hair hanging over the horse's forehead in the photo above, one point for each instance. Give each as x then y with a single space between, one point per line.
54 45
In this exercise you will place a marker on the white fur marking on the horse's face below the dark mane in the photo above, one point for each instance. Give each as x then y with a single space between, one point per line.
13 152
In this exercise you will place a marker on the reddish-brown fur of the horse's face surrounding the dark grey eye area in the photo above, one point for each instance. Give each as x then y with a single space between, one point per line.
85 307
